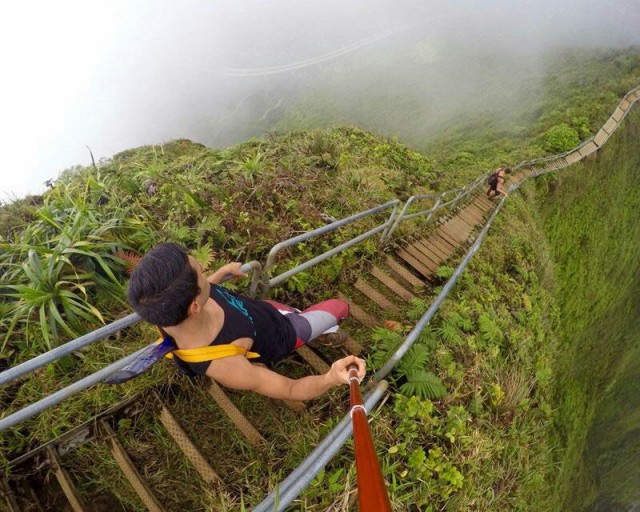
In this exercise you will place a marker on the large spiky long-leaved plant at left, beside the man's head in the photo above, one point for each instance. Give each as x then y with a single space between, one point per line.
57 270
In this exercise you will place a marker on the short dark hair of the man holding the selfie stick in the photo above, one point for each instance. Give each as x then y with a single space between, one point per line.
163 285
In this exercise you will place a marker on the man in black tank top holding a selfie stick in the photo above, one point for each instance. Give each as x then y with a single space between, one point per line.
195 314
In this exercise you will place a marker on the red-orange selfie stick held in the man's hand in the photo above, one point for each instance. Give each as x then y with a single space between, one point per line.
372 492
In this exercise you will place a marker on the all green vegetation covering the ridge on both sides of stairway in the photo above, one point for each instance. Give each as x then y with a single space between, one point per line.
492 408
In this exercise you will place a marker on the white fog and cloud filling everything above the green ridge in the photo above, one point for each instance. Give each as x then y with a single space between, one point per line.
116 75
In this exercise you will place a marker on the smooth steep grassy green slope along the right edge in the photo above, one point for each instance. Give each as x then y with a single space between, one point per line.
592 220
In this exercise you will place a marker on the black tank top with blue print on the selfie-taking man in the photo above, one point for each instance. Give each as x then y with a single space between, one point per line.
272 334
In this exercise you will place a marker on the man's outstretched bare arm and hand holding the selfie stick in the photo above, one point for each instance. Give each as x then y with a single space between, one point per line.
238 373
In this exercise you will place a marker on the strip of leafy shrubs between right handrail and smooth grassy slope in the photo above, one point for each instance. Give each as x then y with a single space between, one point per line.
490 347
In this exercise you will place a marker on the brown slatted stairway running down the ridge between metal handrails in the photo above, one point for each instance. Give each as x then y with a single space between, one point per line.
397 279
